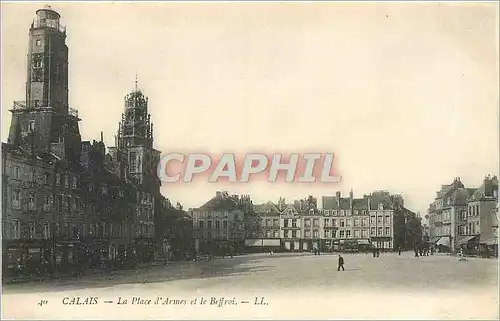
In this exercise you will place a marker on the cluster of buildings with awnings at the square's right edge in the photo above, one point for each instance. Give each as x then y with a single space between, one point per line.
463 218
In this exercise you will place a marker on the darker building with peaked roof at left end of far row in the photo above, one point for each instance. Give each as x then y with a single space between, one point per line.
220 223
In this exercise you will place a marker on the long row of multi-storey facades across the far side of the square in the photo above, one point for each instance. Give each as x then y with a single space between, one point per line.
378 220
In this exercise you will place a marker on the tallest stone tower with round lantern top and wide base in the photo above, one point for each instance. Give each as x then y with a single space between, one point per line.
44 122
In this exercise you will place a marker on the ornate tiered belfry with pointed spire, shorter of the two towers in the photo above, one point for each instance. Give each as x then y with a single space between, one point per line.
135 140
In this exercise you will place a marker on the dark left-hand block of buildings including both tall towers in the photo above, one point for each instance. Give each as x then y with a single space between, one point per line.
64 200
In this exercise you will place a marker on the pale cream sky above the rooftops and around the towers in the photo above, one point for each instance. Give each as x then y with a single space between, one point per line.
406 95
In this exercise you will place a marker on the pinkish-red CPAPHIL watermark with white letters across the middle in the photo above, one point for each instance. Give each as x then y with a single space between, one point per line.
229 167
